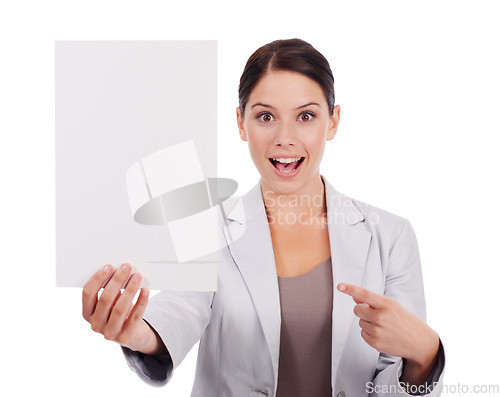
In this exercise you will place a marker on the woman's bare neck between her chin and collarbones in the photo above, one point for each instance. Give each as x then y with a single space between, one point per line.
310 199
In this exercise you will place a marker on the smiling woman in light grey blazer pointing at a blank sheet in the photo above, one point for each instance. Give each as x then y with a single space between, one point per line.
321 295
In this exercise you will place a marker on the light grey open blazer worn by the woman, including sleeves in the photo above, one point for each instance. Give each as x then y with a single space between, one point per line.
239 325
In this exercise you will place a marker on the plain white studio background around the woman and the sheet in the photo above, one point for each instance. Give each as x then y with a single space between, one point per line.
418 87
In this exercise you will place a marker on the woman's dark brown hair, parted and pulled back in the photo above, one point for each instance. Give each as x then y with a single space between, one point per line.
294 55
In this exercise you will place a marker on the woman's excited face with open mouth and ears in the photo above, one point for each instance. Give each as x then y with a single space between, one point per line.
286 125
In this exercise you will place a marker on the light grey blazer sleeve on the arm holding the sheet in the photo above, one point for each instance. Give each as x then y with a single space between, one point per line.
180 319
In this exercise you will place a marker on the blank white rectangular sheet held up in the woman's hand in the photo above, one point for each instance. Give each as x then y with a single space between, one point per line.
118 102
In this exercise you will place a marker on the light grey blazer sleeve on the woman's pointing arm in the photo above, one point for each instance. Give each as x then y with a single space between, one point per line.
404 283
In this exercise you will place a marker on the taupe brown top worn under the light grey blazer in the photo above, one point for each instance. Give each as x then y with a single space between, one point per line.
306 333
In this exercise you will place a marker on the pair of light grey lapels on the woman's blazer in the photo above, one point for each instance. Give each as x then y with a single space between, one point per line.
253 254
